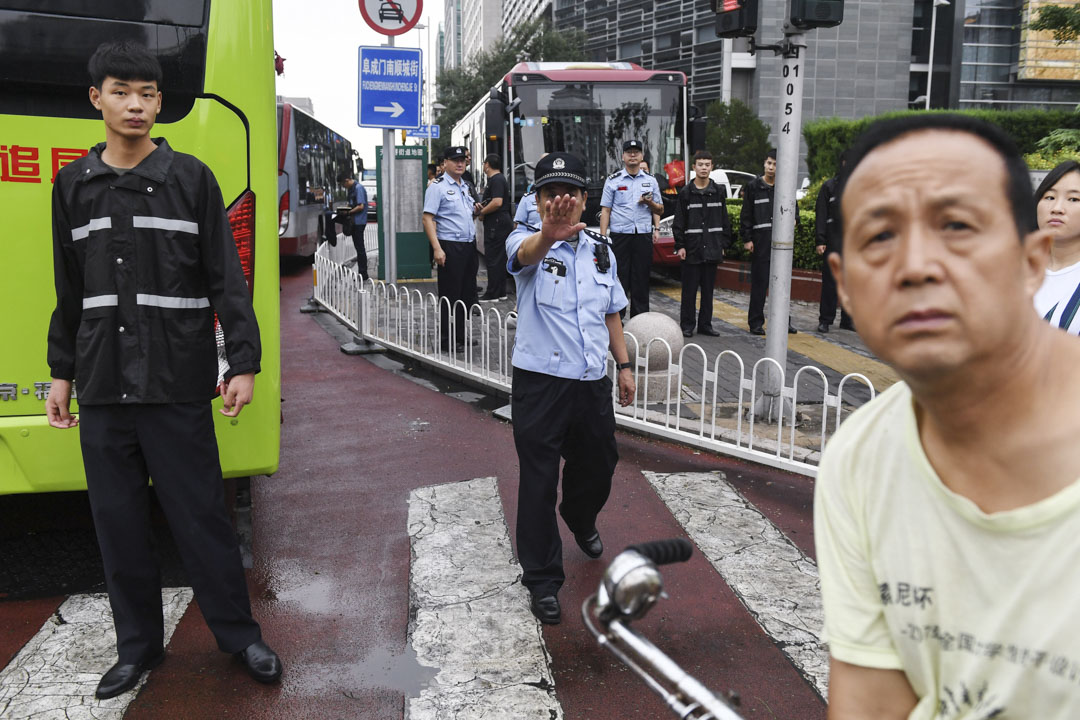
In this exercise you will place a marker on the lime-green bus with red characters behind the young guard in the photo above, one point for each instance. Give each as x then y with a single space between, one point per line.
218 58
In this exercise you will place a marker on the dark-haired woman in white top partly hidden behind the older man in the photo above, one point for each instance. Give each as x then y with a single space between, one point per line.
1059 210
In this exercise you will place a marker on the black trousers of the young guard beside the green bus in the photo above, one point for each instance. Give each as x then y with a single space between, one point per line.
123 446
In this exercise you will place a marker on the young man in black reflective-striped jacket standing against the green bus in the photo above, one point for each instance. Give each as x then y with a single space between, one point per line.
144 259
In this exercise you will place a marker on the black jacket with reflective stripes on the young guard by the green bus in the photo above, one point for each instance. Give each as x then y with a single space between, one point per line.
143 261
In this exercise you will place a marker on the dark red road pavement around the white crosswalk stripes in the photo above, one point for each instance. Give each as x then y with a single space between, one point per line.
331 581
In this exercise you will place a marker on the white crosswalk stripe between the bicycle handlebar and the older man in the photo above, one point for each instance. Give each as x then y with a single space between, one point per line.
773 578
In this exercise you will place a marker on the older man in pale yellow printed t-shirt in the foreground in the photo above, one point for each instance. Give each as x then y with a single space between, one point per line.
948 511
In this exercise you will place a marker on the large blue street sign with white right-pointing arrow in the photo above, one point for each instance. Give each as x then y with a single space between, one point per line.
390 81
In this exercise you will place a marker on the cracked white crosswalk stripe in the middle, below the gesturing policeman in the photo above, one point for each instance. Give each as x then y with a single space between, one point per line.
472 619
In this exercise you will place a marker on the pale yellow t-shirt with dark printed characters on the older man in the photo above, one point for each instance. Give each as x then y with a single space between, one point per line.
981 612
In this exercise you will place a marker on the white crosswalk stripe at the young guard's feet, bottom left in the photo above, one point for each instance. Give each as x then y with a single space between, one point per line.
56 674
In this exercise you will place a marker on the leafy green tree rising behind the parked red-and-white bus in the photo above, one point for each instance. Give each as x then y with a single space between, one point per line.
461 89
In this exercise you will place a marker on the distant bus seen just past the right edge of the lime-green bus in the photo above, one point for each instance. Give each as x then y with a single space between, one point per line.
310 158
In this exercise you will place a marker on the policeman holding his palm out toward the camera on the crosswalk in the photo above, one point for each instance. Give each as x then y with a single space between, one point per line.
569 304
